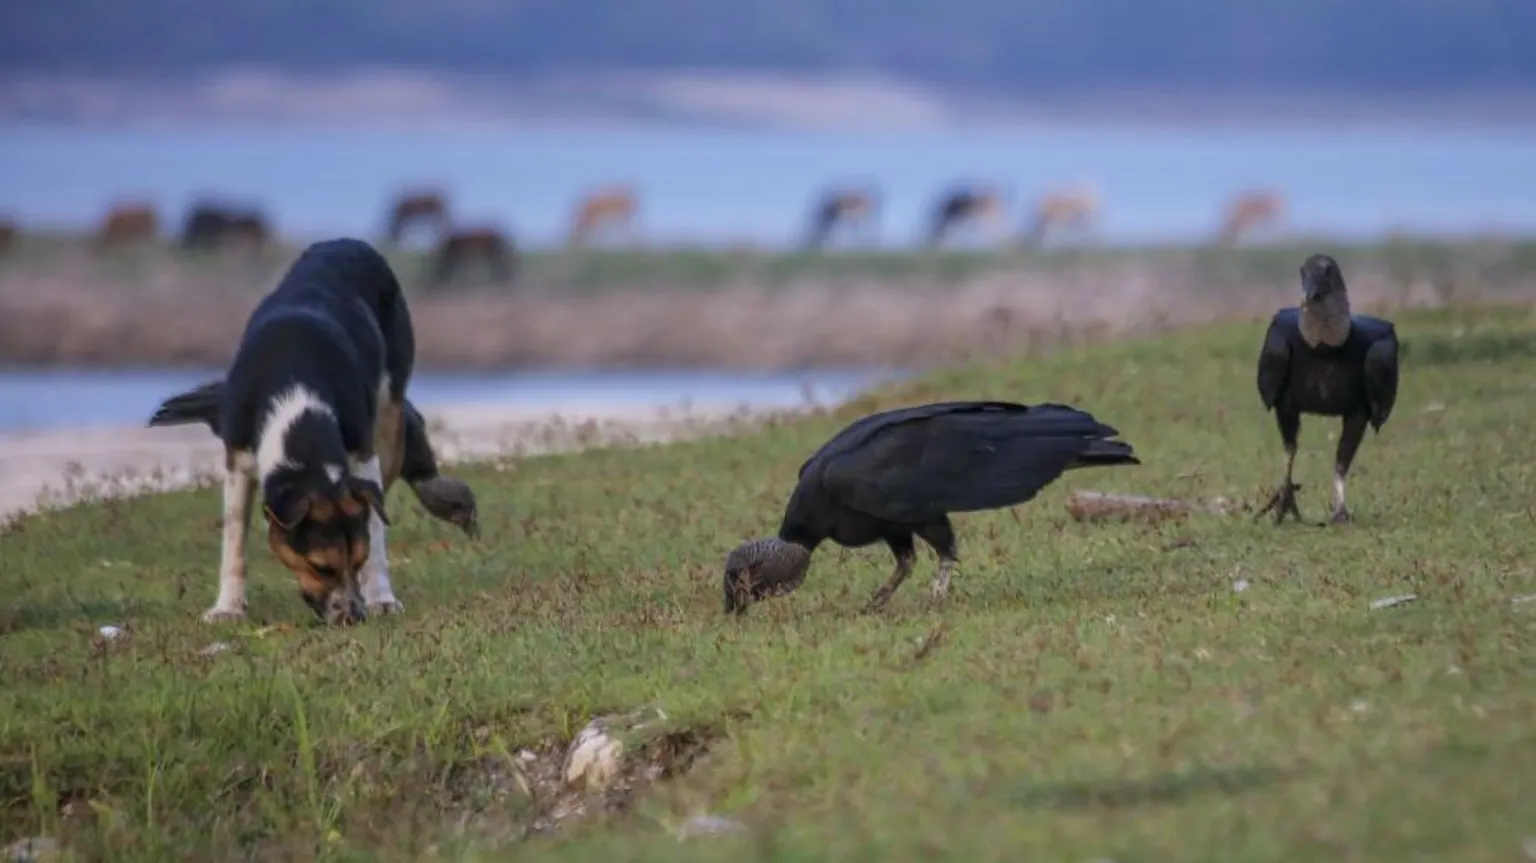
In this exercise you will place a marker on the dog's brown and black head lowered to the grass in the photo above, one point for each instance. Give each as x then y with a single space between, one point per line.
320 531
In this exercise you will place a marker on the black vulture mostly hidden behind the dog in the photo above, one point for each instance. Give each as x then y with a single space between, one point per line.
446 498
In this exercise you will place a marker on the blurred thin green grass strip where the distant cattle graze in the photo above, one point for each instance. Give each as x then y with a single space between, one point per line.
1491 260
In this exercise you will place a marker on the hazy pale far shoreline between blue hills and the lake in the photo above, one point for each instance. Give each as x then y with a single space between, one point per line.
720 101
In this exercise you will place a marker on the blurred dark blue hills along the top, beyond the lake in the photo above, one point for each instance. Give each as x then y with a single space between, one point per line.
1042 50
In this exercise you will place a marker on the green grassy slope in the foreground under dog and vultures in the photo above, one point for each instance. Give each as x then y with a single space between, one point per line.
1088 690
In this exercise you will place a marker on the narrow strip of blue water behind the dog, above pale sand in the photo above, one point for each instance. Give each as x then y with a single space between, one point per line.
71 398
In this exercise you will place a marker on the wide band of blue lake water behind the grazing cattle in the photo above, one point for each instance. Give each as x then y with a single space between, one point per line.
1157 184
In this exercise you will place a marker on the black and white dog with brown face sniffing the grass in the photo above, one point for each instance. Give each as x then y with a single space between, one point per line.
313 412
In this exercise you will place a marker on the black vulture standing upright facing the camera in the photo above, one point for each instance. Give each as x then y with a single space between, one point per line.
1322 360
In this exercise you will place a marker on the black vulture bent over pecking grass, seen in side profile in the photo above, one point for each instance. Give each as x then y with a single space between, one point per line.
899 474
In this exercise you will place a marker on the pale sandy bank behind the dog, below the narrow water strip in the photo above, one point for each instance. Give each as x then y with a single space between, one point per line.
61 468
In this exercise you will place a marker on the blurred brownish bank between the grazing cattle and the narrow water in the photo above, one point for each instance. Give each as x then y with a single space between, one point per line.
864 312
